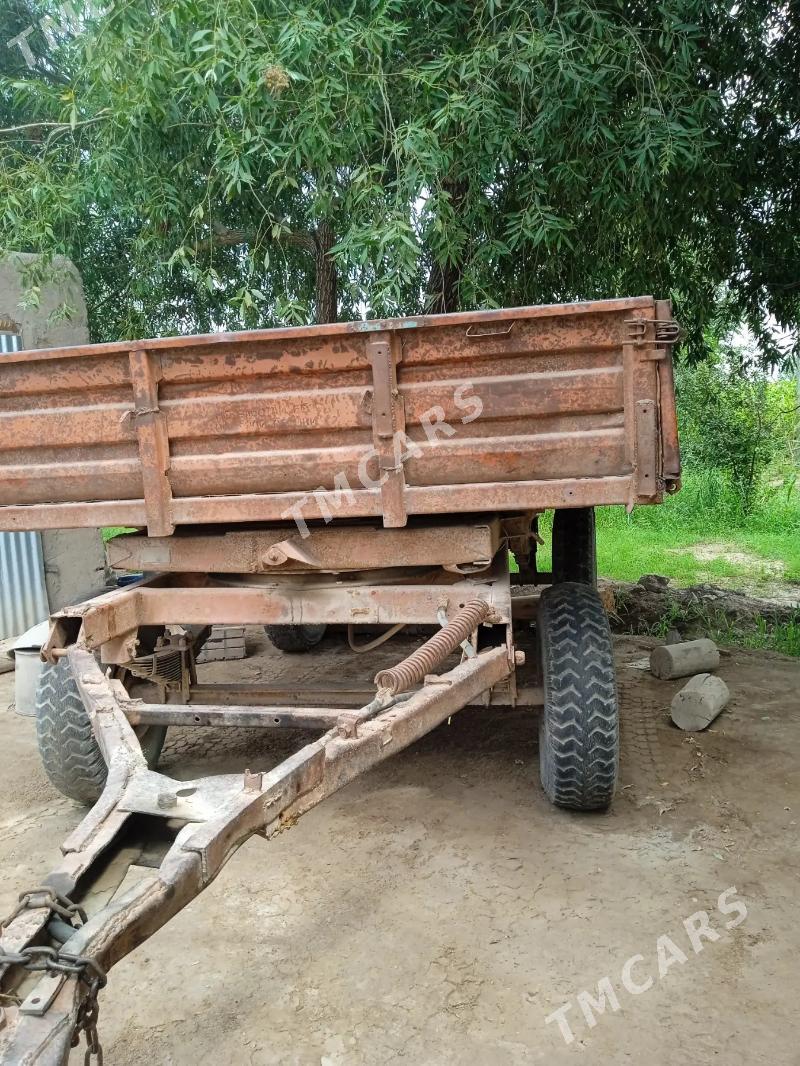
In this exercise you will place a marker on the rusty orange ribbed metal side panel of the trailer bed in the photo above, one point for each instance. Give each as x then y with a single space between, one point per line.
235 428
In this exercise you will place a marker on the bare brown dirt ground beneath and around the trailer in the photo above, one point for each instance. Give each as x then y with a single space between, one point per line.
438 911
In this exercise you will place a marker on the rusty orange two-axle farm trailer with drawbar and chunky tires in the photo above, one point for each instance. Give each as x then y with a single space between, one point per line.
369 476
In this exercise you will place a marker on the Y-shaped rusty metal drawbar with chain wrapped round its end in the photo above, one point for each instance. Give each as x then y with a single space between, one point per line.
100 903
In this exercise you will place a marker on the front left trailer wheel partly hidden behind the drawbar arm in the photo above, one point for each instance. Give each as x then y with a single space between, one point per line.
71 755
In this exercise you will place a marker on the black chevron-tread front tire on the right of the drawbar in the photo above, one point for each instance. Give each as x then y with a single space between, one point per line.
579 732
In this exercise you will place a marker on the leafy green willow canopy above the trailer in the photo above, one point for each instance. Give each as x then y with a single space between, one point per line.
249 164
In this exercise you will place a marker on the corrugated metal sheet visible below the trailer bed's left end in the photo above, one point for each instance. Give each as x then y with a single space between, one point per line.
23 589
